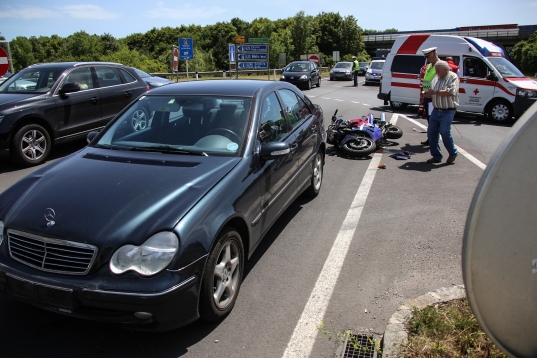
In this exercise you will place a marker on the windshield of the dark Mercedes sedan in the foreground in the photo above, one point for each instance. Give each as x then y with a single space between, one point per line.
183 124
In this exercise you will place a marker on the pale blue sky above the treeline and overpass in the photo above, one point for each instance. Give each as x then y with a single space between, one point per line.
121 18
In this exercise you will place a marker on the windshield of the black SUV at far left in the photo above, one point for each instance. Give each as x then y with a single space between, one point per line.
31 81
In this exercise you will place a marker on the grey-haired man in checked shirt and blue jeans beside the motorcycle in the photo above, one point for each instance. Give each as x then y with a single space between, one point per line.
444 94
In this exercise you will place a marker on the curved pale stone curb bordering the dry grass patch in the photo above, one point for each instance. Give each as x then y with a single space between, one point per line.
396 335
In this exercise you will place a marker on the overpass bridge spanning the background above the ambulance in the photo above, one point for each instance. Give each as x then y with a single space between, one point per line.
505 36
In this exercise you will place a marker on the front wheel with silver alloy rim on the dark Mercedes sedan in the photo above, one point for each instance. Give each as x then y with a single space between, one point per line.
222 276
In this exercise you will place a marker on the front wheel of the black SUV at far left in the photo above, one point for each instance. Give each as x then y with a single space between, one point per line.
31 145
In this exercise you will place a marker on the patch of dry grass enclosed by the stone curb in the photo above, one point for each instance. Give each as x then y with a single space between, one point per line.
448 329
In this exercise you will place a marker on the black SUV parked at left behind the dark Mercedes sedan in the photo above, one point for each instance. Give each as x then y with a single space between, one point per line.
56 102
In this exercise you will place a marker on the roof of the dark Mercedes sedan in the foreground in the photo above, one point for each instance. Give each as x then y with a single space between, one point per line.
243 88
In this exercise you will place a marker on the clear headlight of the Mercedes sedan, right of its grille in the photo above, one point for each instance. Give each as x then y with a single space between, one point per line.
153 256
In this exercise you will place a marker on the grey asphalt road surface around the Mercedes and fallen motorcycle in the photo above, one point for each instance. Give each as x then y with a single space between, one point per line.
407 241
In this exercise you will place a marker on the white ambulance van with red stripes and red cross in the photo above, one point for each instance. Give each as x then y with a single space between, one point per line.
489 83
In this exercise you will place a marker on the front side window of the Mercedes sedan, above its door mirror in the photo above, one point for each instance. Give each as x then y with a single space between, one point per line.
273 126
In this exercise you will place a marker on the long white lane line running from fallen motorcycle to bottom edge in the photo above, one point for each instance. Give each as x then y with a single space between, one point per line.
303 338
